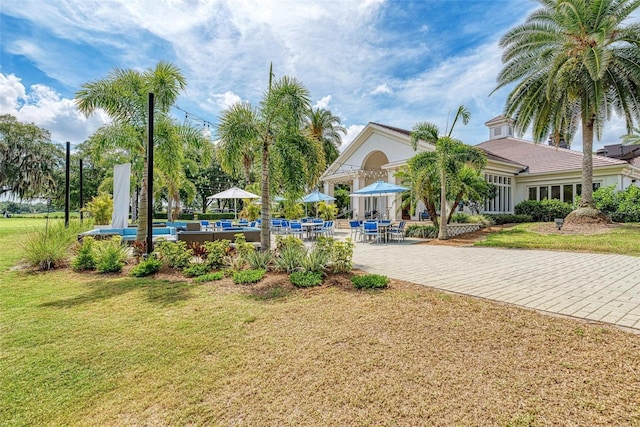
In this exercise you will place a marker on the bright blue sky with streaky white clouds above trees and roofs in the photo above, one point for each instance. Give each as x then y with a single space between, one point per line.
392 62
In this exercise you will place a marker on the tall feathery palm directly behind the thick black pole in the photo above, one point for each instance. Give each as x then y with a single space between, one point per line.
123 95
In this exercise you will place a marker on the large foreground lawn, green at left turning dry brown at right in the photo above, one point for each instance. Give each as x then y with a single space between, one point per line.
83 349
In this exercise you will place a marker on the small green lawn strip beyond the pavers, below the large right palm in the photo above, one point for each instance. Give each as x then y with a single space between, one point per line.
620 240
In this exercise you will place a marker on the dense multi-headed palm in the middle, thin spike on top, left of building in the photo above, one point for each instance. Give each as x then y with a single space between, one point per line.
289 160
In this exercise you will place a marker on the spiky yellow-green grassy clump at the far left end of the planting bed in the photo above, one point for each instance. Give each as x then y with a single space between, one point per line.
48 248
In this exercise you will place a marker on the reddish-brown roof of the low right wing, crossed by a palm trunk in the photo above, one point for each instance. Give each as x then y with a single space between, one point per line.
541 158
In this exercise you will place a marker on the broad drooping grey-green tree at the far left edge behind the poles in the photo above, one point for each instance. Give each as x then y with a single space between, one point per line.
28 159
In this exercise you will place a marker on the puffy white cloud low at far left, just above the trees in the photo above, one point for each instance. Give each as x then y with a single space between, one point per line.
47 109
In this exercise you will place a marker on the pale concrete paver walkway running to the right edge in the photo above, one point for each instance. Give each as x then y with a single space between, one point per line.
590 286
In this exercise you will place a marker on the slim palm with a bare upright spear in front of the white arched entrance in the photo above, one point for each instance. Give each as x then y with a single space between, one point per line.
450 156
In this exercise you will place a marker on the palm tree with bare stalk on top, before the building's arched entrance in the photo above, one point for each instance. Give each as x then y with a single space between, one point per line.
446 162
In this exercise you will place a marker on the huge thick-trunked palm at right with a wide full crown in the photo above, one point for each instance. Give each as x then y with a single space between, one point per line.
573 63
